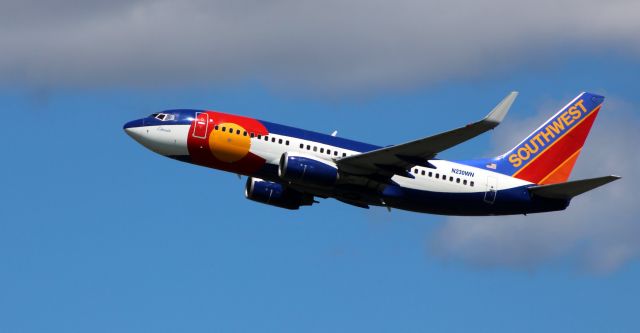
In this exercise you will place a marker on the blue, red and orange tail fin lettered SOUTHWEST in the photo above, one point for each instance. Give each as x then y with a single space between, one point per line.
548 155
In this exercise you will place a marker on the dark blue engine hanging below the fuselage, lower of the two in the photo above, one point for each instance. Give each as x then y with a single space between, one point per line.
275 194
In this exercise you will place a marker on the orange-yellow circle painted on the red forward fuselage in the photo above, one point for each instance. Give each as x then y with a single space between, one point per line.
229 143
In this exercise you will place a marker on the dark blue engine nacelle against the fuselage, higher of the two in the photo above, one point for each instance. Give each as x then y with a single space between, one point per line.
307 170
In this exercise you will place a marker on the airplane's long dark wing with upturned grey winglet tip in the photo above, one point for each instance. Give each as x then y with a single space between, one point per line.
397 159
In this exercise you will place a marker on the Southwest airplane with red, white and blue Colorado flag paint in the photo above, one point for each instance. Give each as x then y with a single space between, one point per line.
288 167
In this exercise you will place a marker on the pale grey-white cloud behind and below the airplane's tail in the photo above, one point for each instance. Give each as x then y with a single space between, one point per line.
599 230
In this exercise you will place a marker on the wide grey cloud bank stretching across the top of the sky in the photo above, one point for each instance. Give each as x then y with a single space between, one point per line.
328 45
